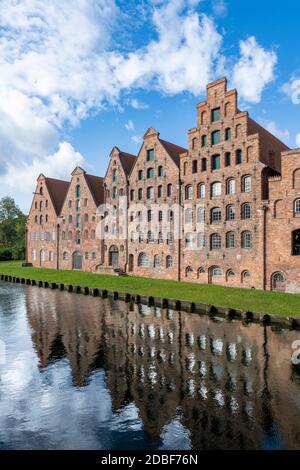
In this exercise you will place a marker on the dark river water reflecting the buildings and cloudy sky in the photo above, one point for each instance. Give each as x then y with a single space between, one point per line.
90 373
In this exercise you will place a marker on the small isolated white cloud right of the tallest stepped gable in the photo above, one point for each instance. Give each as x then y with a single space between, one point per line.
254 70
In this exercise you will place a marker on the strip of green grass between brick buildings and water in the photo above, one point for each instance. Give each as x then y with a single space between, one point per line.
246 299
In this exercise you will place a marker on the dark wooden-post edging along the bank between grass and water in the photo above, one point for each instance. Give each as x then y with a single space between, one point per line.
164 303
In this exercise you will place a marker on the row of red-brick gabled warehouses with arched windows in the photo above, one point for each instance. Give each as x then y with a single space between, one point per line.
223 211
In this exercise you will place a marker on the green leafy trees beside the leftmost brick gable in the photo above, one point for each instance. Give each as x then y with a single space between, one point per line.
12 228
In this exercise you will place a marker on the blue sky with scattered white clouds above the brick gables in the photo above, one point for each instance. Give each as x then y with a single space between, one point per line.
80 76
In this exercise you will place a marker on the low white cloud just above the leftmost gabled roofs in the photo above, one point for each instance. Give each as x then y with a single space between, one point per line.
58 165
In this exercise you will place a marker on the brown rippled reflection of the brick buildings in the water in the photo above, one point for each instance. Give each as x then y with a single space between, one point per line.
231 385
